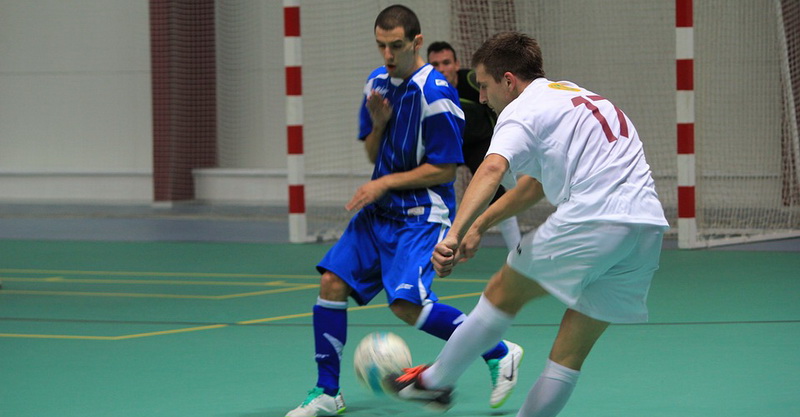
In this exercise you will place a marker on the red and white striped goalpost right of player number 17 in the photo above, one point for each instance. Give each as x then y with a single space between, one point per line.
684 55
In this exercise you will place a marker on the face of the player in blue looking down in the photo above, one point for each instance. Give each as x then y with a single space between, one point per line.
399 54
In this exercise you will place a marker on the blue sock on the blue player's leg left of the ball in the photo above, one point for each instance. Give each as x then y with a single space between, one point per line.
330 335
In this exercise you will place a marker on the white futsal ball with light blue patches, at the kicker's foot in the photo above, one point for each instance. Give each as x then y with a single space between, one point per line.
378 355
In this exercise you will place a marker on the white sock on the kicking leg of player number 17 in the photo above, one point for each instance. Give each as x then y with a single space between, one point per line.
483 328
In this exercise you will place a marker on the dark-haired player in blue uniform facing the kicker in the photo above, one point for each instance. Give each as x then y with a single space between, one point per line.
411 126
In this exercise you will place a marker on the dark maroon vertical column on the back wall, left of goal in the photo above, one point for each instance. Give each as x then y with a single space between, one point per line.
184 94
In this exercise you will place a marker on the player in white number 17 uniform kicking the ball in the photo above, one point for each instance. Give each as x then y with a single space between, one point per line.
597 253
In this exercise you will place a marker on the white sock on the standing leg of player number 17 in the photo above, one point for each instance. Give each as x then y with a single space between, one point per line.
550 393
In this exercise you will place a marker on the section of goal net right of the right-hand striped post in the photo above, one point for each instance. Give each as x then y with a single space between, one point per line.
745 185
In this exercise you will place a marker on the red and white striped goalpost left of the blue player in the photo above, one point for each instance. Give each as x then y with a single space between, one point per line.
294 121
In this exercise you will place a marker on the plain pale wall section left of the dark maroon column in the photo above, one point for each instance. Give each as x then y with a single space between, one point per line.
75 101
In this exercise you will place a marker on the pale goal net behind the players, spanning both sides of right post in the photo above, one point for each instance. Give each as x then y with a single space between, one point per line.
747 81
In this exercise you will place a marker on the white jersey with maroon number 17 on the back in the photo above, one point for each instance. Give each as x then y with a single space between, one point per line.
583 149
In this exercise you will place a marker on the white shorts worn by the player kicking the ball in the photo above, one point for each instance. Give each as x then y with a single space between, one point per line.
602 270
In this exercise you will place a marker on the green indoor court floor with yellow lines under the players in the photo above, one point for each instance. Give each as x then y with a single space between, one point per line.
224 329
